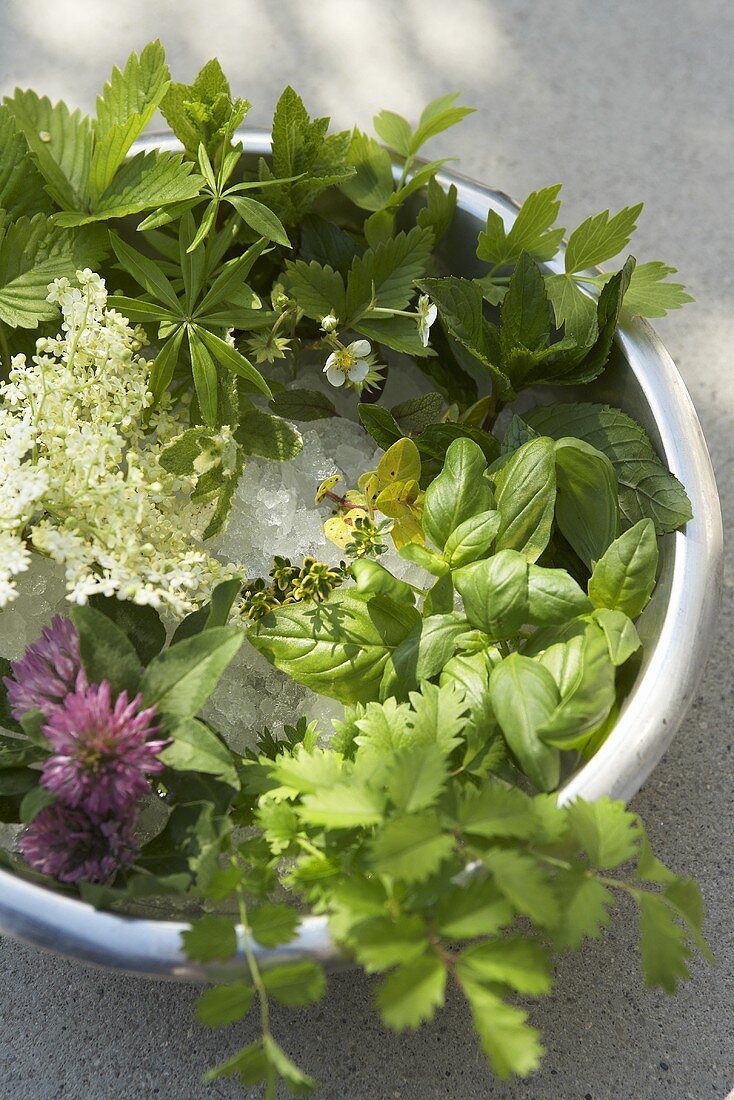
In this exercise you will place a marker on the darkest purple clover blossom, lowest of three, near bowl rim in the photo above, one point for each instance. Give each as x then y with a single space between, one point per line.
72 846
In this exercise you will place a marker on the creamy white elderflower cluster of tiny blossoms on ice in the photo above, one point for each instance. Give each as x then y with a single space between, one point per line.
80 466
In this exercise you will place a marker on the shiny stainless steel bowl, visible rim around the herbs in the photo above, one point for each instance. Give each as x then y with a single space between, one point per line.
676 629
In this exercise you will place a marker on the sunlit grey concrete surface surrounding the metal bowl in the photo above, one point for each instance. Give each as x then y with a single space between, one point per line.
622 102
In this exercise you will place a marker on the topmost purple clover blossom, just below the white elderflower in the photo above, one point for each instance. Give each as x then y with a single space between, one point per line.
48 672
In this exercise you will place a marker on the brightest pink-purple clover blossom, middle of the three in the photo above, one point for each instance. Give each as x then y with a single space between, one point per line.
102 753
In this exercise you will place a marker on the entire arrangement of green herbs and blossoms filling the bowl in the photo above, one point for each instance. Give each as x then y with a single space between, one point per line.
424 826
